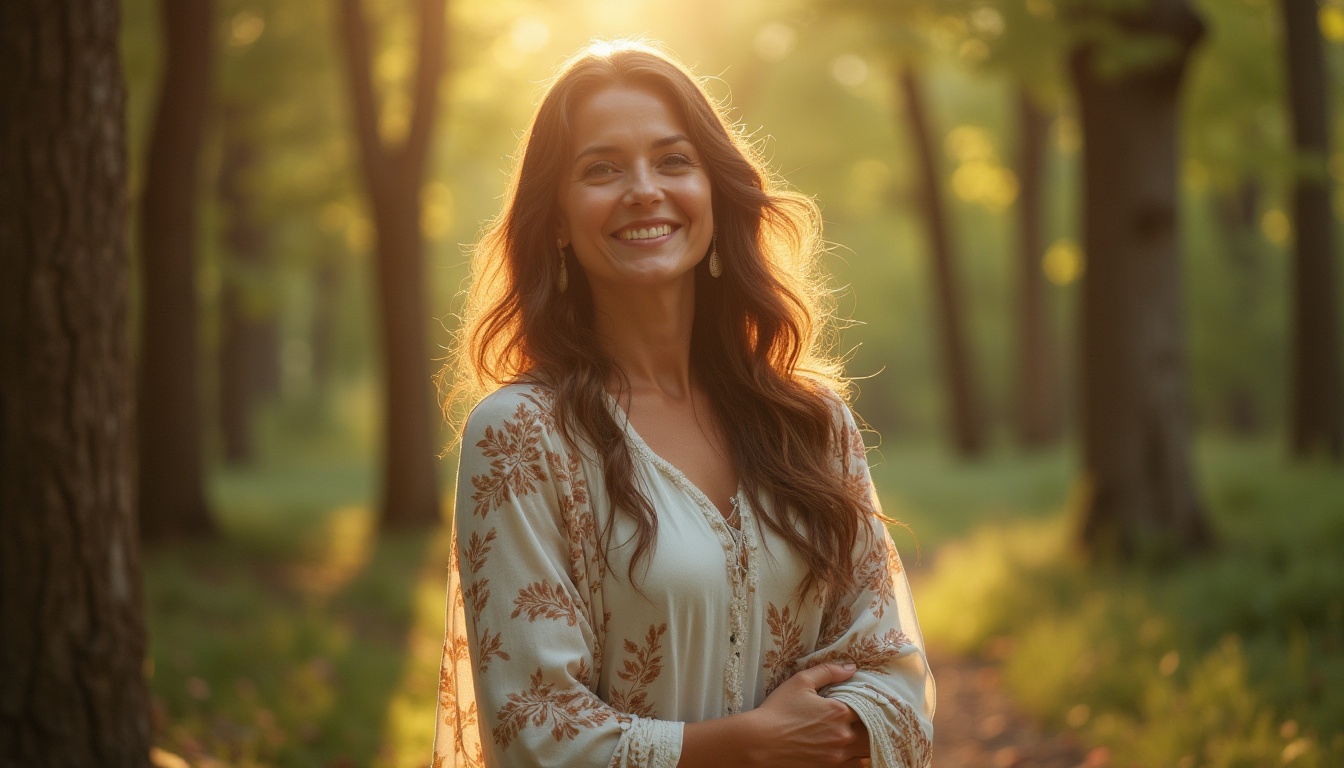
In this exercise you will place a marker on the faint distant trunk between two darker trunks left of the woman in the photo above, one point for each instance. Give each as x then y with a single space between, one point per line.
248 326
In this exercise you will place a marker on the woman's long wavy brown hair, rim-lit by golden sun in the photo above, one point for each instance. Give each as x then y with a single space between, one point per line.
757 342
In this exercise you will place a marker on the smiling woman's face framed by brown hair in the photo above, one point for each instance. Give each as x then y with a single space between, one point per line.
635 201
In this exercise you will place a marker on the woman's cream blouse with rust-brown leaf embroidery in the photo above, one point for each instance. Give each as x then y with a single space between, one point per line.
554 658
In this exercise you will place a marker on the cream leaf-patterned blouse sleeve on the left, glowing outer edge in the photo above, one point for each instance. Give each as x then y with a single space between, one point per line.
525 617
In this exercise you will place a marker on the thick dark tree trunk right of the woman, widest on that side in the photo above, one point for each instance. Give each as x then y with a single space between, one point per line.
1143 502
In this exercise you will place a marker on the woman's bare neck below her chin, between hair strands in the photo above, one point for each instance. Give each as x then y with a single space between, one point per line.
648 336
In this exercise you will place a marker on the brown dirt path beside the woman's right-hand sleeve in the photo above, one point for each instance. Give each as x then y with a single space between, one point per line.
978 726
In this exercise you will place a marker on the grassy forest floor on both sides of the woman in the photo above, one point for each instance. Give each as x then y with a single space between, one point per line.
304 640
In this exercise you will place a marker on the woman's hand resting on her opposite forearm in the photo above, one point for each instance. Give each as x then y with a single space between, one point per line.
802 728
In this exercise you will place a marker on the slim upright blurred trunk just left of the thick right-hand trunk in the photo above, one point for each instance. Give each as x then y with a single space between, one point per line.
1037 414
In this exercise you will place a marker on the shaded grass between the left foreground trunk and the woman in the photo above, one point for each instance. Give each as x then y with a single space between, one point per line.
302 638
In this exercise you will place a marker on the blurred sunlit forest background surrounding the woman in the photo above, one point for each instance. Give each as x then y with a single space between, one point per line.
1130 519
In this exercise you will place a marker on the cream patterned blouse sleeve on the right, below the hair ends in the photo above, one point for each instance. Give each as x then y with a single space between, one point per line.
874 626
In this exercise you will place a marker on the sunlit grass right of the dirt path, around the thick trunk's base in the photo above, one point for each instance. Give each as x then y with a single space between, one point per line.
1226 661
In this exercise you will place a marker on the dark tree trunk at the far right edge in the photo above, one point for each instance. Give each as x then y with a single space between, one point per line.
1318 400
